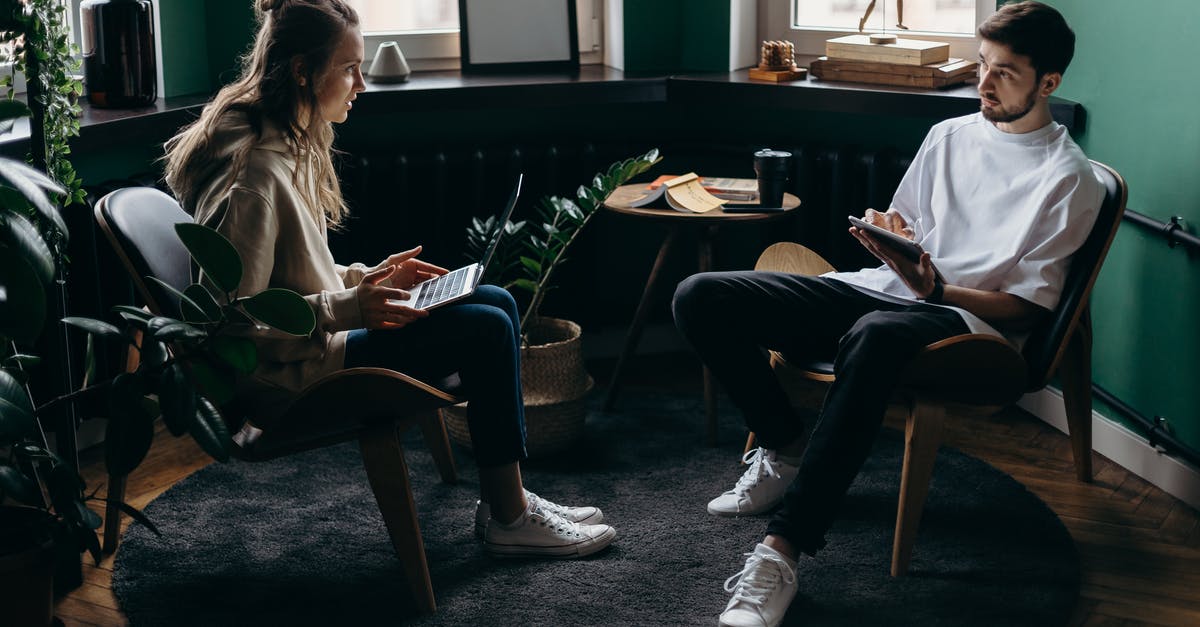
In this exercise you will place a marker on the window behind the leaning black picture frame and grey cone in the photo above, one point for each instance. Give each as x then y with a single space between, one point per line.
428 31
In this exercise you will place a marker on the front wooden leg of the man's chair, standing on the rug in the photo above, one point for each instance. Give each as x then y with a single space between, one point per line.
923 435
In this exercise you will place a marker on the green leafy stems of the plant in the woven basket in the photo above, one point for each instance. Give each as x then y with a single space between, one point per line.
532 250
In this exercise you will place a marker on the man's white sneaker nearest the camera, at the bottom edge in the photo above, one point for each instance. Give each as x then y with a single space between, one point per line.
765 589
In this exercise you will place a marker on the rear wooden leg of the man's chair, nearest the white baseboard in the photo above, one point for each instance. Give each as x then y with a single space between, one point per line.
1076 372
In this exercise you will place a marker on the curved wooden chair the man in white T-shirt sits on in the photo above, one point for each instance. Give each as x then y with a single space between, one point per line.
976 373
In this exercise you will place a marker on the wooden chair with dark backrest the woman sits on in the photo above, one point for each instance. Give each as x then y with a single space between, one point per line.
374 405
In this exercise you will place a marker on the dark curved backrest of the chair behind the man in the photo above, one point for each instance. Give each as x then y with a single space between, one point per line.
1046 345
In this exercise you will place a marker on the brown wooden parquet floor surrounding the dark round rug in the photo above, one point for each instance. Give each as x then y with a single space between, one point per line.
1139 547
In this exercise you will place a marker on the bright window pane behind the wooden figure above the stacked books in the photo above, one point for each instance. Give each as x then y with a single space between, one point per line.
928 16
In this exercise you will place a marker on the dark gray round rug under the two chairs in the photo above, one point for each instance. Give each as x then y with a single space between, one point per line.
299 541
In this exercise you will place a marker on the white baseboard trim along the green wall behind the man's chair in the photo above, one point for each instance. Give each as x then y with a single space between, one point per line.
1124 447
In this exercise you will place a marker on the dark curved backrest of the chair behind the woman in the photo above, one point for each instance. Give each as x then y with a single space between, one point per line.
140 224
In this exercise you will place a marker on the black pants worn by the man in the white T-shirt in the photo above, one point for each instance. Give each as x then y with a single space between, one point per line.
731 318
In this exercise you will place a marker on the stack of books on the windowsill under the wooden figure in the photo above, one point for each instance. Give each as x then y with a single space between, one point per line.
904 63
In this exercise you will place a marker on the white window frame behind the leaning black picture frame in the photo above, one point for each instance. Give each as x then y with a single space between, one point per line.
439 50
